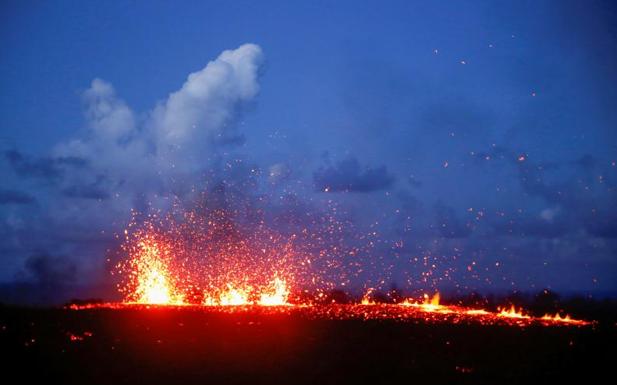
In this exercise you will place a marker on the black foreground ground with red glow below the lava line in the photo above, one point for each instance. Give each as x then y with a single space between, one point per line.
185 346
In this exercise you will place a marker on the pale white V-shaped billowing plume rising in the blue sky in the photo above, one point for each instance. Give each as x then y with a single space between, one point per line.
179 135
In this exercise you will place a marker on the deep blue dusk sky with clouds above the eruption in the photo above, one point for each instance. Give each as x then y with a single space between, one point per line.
475 141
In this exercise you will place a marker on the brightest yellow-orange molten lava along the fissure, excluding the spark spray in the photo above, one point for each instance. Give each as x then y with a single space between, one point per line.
155 285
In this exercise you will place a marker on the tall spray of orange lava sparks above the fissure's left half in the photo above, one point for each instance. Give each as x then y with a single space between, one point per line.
205 261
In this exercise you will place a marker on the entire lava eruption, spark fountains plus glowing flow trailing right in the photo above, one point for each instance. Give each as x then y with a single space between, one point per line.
218 270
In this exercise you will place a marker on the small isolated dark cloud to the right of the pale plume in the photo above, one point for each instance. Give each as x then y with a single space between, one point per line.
348 176
